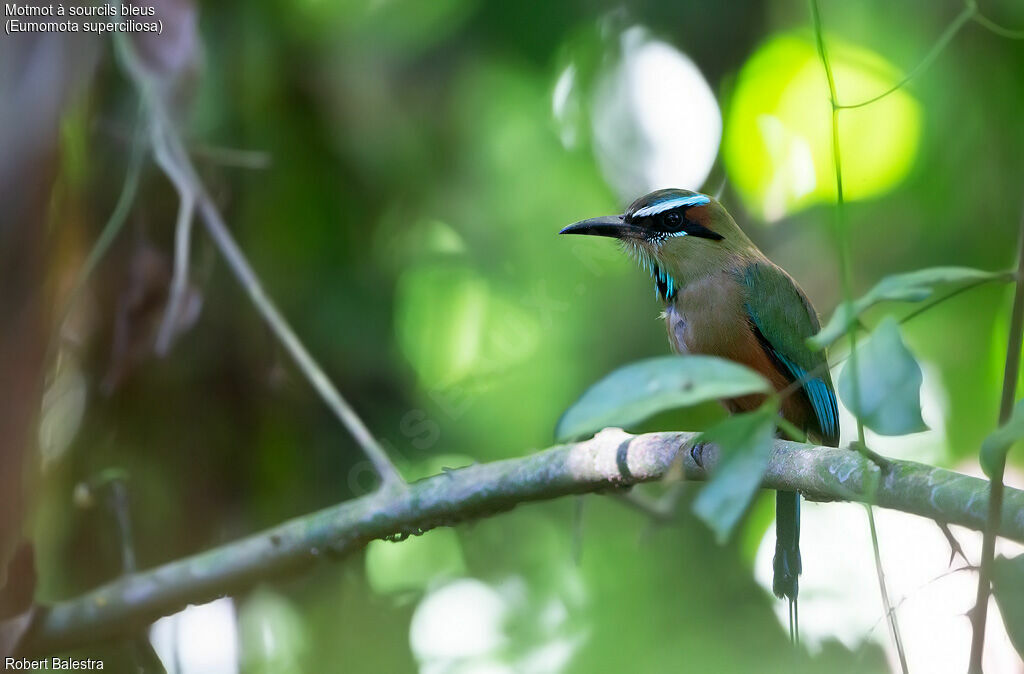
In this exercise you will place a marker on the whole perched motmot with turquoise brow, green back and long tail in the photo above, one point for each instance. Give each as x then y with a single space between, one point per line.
724 298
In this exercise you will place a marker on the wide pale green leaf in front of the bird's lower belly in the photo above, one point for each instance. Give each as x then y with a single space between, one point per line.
638 391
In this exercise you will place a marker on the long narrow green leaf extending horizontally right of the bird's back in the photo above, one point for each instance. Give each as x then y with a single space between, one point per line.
910 287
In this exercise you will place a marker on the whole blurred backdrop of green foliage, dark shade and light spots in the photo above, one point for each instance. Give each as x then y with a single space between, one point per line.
398 171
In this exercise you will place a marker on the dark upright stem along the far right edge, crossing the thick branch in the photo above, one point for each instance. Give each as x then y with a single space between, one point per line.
980 614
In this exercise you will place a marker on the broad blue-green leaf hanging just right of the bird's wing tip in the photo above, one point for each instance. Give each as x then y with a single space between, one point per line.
889 380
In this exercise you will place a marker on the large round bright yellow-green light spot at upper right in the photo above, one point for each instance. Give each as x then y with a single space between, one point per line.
778 147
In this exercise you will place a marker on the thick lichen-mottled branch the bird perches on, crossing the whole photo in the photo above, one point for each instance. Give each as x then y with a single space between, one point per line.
612 460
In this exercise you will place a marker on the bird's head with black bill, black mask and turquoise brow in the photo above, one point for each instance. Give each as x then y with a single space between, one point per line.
677 235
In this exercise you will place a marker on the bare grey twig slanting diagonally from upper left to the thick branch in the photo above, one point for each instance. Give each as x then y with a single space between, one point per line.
244 273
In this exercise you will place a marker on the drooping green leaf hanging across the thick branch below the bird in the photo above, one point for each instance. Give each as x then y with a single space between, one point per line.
745 442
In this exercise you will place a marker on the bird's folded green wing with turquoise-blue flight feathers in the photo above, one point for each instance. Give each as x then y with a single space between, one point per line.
783 319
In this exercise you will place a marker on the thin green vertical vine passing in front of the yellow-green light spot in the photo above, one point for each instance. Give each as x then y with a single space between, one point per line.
846 276
